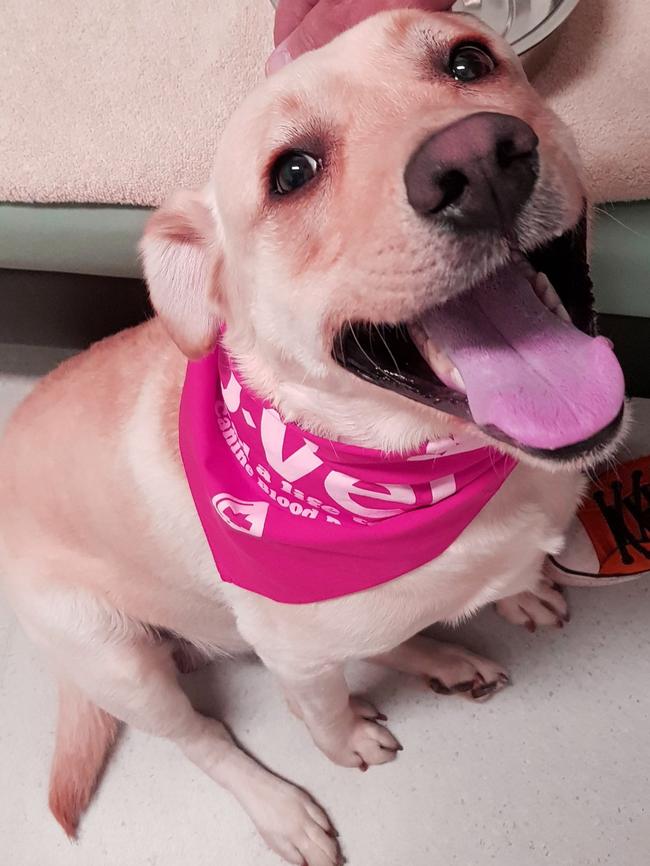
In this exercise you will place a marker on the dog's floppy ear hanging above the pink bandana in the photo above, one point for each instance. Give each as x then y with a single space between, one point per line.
182 256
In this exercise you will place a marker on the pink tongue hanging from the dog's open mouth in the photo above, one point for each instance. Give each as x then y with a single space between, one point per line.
537 379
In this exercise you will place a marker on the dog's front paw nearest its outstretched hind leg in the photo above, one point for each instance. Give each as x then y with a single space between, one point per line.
360 740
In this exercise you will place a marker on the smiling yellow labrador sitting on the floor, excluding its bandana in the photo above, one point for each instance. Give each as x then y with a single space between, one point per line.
383 224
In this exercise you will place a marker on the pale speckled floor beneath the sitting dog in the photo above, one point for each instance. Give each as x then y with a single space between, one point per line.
554 771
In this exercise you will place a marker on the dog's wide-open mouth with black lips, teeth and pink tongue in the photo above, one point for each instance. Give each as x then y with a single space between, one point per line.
514 354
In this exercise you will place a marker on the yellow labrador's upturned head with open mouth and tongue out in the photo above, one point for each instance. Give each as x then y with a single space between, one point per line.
385 235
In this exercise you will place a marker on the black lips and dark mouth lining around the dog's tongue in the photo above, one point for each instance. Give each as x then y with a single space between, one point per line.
563 260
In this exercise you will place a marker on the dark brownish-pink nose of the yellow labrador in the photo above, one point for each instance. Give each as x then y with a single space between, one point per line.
476 173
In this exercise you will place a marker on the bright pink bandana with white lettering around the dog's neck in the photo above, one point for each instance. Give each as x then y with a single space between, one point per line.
297 518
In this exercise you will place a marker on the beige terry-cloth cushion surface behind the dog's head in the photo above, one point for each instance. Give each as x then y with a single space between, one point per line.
123 101
